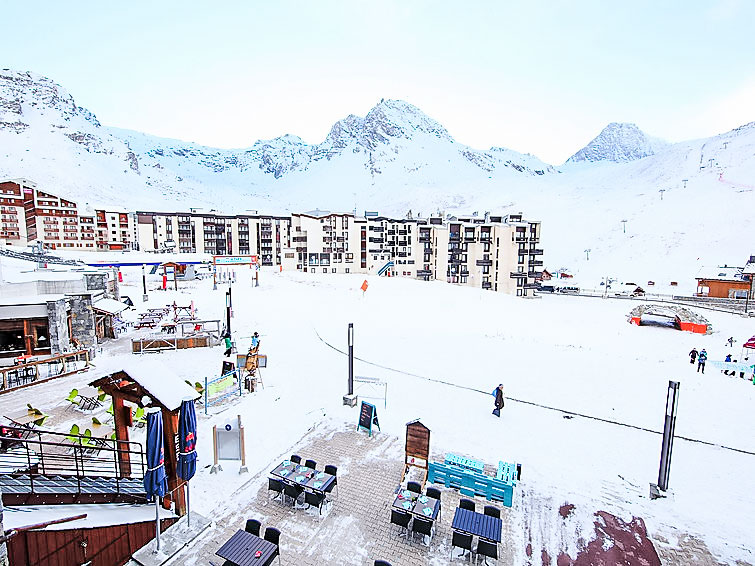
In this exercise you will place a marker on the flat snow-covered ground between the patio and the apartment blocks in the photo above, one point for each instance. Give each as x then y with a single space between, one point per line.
447 347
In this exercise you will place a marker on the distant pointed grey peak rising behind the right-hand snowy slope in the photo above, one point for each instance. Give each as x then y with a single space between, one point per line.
619 143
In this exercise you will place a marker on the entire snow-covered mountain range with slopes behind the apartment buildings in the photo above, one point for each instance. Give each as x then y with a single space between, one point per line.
684 204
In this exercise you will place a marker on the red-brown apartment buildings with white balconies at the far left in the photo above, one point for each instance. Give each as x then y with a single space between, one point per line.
30 215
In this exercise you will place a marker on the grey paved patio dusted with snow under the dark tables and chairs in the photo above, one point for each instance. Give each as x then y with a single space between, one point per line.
356 528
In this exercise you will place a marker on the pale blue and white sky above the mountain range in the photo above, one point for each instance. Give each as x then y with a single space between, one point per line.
541 77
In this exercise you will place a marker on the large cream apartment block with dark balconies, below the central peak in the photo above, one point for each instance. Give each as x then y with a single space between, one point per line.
498 253
